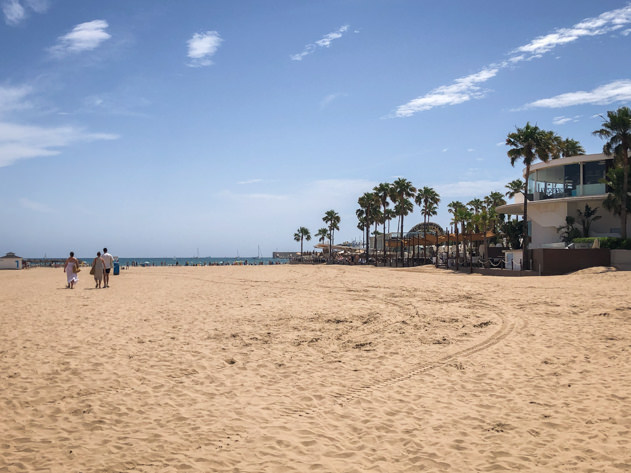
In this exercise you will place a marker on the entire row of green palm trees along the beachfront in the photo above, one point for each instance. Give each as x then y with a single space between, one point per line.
387 201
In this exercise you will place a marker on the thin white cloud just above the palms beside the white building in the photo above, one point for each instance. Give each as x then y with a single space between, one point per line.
617 91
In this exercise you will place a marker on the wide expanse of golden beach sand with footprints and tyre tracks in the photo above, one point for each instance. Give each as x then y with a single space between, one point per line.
315 369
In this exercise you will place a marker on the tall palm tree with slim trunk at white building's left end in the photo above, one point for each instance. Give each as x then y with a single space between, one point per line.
528 144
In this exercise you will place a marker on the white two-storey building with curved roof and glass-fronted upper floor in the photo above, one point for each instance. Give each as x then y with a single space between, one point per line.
560 188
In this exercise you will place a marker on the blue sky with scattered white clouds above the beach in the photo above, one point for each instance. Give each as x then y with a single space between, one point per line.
157 128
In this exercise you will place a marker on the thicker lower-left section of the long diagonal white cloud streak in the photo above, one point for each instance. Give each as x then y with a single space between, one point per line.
462 90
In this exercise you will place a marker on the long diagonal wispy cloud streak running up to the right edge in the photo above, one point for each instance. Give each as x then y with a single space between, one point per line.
469 87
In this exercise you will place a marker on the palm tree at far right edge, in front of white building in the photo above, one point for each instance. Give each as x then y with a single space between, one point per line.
617 129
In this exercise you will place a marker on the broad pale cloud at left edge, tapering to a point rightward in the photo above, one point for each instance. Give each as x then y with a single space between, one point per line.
24 142
